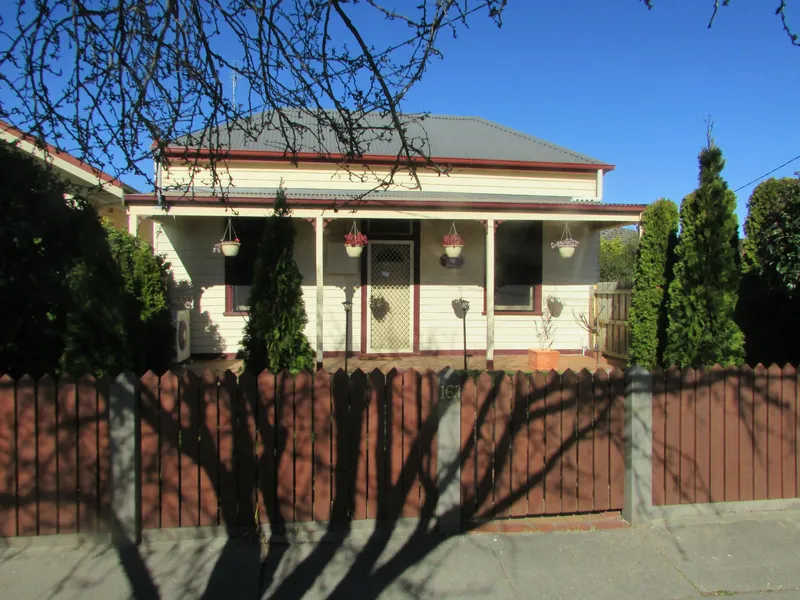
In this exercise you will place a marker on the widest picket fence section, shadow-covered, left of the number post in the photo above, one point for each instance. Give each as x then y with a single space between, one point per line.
278 448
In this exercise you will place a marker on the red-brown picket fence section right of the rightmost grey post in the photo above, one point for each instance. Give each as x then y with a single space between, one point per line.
725 434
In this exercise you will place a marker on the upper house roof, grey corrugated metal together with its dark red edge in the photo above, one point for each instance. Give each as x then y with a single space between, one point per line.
442 138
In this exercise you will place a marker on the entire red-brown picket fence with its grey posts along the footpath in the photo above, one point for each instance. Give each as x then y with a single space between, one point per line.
192 450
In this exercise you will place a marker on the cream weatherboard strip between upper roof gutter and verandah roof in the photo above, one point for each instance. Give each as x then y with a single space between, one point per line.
268 176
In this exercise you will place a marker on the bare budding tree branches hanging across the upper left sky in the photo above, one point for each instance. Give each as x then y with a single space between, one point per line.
105 78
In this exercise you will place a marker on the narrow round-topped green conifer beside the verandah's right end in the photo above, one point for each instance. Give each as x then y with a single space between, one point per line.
654 263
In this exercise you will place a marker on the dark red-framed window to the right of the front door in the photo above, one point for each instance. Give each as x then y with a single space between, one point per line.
518 267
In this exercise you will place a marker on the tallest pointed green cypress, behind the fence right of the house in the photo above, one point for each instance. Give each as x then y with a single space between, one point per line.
703 294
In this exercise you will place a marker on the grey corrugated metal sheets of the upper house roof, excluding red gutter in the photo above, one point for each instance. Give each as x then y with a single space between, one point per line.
439 136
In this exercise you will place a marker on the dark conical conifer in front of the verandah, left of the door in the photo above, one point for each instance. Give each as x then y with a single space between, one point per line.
274 337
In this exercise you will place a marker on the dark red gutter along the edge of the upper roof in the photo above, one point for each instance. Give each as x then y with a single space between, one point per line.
272 155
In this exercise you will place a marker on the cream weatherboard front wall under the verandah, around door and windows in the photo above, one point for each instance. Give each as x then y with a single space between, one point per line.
186 242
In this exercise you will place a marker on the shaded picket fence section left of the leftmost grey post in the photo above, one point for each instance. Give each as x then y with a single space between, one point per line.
54 449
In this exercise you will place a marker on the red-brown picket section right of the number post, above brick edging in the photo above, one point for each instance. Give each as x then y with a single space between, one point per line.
542 444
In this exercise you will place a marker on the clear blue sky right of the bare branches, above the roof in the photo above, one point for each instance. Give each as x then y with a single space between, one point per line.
632 87
